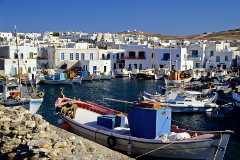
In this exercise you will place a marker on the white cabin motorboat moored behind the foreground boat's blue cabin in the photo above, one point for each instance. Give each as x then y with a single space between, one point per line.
192 101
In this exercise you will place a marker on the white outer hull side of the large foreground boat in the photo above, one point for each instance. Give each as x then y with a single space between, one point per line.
199 149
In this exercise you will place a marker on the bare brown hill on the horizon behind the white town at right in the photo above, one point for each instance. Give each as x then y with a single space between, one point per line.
223 35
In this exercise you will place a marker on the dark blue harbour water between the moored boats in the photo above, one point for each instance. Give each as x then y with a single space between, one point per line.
129 90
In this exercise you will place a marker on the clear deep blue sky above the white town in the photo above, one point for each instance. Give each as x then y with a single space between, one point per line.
169 17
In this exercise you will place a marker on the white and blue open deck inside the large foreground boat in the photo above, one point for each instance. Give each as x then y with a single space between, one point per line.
89 118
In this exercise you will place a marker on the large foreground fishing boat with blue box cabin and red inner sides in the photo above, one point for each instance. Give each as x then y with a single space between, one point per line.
144 130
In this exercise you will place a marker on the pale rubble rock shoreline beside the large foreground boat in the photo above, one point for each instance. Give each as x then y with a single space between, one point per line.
27 136
